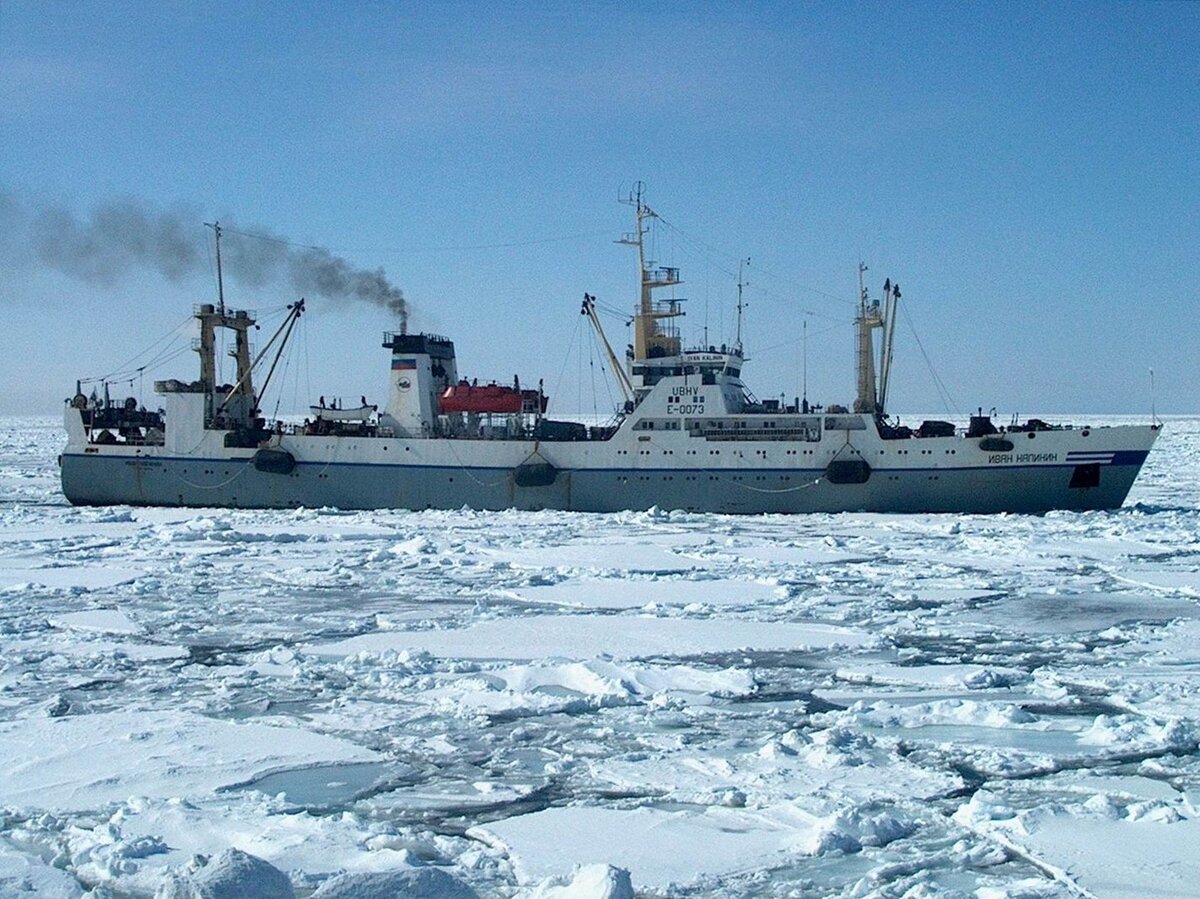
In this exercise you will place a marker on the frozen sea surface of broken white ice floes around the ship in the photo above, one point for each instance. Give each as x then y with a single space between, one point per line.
826 706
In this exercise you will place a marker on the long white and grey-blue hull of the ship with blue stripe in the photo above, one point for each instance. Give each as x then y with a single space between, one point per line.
629 471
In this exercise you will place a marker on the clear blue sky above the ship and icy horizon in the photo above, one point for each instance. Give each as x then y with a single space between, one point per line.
1028 172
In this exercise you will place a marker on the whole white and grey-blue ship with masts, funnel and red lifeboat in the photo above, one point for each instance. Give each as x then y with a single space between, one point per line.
688 435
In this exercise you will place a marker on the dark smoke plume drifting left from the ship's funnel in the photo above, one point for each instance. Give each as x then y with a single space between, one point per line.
125 236
